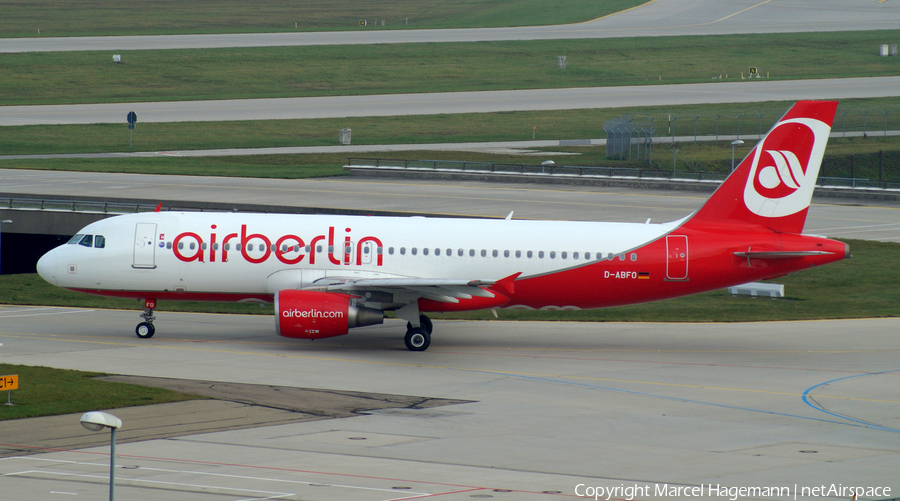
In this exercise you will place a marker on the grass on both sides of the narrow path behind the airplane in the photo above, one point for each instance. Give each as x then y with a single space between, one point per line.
564 124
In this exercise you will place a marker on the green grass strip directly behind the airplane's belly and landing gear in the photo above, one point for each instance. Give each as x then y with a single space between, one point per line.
860 287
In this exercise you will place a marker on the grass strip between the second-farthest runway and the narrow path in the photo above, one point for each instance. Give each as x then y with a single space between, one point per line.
448 128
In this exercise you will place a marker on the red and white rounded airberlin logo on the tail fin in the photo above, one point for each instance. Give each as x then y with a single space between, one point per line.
785 167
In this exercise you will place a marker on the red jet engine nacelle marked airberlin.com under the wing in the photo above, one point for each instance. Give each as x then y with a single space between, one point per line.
316 315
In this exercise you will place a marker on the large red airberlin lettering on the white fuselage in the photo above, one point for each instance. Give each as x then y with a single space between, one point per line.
289 249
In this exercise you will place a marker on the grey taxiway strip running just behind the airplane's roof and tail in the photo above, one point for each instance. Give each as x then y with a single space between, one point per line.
838 218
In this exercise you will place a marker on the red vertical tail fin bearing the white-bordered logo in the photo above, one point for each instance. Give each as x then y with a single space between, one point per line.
774 184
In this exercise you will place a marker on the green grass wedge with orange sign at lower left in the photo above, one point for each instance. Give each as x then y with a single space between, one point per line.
47 392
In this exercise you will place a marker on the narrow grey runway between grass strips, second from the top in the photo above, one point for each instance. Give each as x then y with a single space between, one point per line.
455 102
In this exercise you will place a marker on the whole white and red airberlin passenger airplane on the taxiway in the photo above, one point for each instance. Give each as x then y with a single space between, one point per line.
327 274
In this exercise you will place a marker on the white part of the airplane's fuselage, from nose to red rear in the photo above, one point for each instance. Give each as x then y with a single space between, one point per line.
260 254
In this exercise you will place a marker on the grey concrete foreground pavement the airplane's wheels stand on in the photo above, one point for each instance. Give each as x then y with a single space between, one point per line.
550 410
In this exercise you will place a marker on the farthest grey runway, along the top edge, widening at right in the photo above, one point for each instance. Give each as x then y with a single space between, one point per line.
656 18
